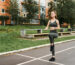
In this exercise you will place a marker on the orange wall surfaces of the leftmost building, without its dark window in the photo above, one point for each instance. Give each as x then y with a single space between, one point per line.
3 5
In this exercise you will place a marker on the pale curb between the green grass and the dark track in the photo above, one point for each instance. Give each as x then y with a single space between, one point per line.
26 49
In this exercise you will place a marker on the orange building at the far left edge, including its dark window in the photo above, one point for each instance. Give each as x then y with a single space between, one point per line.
3 13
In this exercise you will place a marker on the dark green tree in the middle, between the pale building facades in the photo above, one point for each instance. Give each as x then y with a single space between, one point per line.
31 7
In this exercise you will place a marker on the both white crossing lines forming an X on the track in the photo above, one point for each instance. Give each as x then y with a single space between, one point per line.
44 57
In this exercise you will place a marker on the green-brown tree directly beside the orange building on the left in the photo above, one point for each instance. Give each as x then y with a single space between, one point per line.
13 10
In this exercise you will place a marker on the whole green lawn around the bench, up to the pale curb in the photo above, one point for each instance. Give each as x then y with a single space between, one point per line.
10 38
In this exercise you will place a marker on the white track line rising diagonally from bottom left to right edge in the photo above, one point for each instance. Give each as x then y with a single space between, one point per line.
46 56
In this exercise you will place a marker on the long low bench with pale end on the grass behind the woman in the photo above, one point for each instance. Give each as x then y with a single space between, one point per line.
39 33
